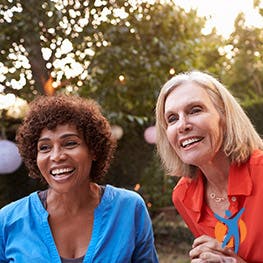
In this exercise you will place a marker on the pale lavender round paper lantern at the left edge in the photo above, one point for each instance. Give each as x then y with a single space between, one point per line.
10 159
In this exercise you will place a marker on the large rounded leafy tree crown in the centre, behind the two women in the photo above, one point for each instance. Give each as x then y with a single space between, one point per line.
143 48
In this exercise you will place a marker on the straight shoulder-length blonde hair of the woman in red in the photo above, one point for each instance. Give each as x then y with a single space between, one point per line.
240 137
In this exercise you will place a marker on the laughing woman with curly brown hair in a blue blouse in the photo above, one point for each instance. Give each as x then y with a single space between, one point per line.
67 142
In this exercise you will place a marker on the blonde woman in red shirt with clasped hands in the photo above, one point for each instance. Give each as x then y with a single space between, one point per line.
205 137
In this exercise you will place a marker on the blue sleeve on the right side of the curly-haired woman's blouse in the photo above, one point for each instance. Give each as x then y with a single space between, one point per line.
144 248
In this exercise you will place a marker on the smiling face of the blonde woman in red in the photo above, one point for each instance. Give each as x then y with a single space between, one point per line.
194 127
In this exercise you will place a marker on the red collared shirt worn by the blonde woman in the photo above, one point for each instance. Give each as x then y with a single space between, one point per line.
245 189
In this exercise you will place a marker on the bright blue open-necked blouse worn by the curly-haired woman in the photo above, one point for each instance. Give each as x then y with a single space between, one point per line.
122 231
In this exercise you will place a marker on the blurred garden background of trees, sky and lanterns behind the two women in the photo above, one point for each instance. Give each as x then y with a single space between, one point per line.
120 53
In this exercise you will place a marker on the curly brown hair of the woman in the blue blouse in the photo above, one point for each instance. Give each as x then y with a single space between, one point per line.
48 112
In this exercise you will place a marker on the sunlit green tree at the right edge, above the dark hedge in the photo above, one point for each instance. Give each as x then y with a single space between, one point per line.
244 70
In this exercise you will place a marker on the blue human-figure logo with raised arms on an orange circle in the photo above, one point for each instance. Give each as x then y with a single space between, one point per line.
231 231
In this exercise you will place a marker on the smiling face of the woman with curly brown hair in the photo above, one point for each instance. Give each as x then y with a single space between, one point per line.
63 158
